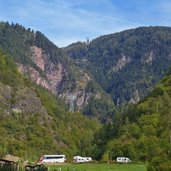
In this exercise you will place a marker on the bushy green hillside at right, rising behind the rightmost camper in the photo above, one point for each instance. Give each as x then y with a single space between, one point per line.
141 131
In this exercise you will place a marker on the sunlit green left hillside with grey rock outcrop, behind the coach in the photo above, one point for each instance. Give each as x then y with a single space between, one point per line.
33 121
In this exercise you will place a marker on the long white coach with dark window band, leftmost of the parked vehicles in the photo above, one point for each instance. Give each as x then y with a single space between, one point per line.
52 159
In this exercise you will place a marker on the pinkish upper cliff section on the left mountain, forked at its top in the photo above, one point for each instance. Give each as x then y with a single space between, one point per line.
53 73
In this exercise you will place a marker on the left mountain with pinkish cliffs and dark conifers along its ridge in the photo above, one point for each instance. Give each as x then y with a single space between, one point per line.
47 65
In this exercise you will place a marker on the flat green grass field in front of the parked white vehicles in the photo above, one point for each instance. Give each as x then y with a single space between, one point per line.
98 167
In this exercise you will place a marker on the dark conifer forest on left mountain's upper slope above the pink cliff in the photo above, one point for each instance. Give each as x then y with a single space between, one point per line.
16 41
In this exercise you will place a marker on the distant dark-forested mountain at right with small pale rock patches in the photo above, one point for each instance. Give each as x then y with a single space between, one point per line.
127 64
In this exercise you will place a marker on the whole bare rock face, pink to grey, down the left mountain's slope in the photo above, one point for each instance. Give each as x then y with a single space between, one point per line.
53 78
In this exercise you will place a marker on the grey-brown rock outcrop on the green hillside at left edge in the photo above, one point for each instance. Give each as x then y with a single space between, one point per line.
20 100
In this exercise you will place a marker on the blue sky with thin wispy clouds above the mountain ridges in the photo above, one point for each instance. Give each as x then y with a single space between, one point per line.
68 21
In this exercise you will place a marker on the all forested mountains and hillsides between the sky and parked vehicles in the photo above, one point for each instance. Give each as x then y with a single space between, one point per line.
124 67
